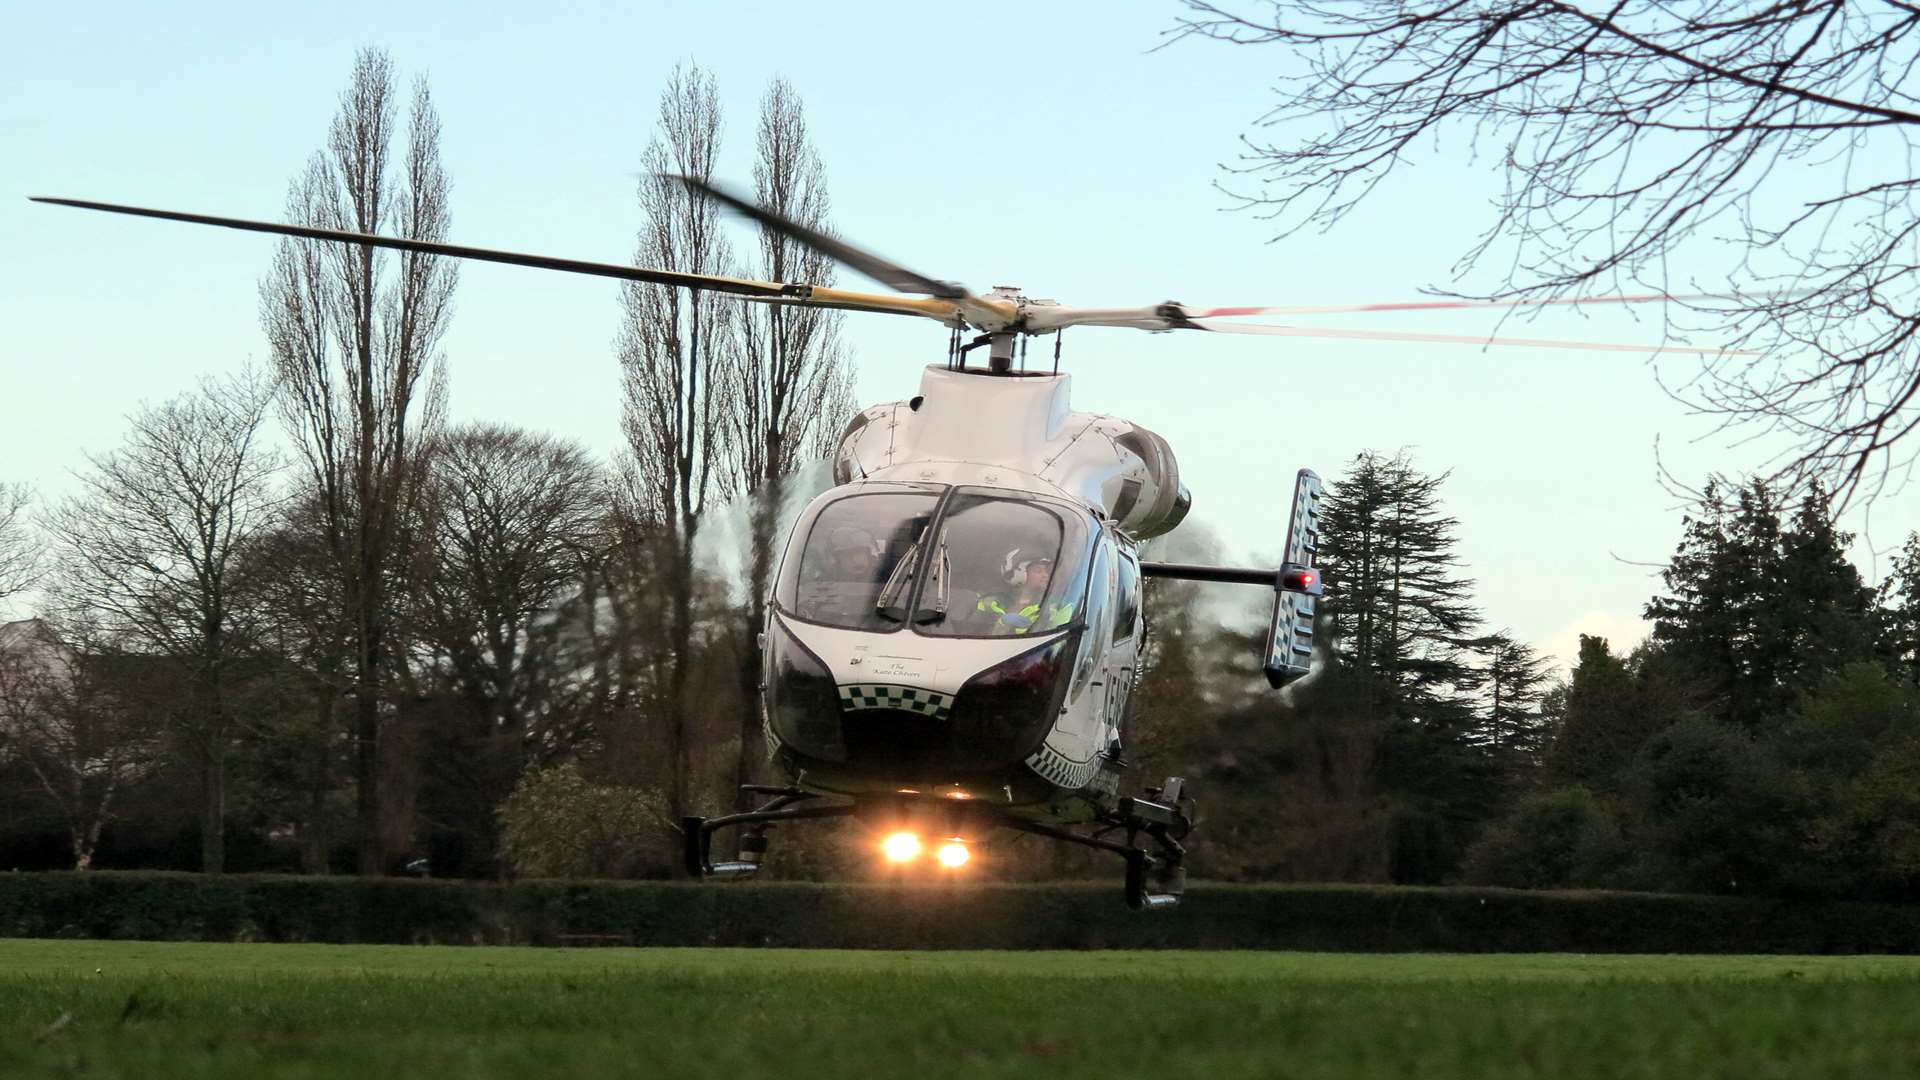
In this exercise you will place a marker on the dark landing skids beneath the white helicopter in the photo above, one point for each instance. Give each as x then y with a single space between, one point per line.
1155 877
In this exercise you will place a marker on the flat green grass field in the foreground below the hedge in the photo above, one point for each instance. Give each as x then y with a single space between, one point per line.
195 1010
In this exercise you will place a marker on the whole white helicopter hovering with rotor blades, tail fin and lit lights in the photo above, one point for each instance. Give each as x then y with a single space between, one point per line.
957 627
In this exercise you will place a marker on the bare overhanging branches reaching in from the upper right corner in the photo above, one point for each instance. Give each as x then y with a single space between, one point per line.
1635 139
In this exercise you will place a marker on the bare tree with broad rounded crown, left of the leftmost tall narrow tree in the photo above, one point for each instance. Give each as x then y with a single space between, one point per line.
151 545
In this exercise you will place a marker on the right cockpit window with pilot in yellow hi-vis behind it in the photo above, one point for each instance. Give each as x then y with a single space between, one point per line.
1003 568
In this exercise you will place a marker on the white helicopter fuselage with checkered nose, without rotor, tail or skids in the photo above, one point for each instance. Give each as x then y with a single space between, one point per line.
946 697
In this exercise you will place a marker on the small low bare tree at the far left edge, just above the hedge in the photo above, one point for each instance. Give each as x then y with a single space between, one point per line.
84 718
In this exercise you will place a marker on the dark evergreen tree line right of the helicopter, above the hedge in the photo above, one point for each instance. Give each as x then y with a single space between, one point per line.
1764 741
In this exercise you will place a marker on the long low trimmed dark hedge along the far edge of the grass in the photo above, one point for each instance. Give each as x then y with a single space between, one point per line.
260 908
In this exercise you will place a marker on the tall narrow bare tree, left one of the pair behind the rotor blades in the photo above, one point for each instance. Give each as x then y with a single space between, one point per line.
675 356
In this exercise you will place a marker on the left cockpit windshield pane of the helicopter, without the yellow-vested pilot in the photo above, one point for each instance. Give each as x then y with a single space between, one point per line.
857 564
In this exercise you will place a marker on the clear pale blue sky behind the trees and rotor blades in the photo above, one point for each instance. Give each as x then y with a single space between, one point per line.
1047 147
